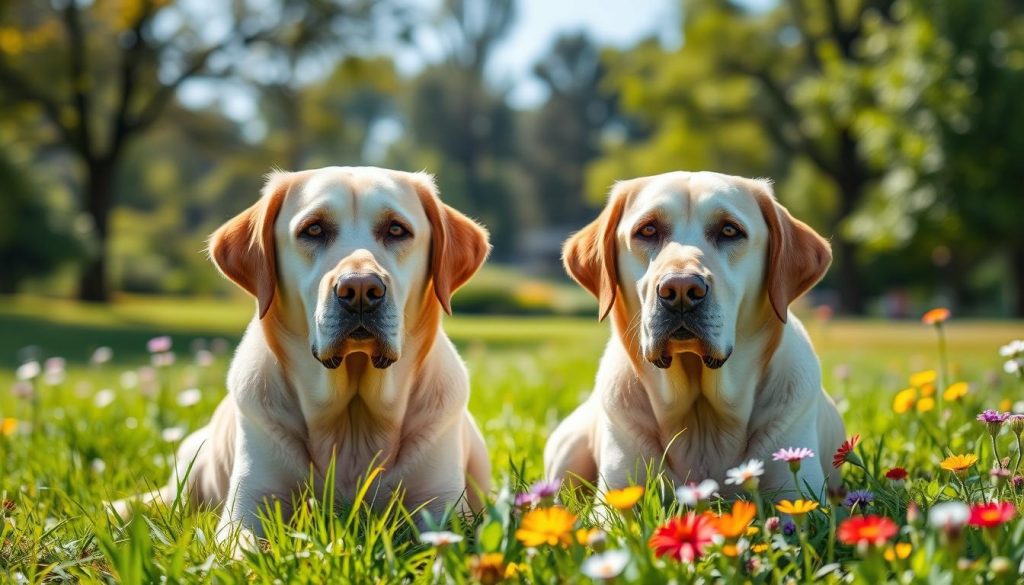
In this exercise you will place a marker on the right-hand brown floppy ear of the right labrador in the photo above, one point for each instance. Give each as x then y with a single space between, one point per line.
798 258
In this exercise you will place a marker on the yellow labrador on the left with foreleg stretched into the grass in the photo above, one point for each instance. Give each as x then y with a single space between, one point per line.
346 356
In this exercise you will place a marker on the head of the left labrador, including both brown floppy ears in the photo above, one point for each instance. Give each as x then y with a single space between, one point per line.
356 255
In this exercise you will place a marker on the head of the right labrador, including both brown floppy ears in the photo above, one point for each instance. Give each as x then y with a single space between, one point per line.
693 259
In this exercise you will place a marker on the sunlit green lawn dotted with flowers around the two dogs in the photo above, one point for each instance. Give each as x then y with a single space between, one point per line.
100 436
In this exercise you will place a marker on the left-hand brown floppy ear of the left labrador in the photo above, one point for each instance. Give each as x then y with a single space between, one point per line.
243 248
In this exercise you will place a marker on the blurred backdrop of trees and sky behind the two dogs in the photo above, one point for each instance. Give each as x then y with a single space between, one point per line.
131 130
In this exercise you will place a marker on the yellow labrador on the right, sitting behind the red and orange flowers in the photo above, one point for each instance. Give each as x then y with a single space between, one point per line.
698 272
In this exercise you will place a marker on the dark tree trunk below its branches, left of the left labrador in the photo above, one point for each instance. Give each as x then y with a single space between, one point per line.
99 202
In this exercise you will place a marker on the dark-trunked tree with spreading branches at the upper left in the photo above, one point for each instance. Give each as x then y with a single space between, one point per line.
100 97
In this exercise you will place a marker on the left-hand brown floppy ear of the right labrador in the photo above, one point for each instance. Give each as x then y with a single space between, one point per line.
589 255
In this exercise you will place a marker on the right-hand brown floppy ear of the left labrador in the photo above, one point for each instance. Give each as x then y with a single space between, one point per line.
458 245
